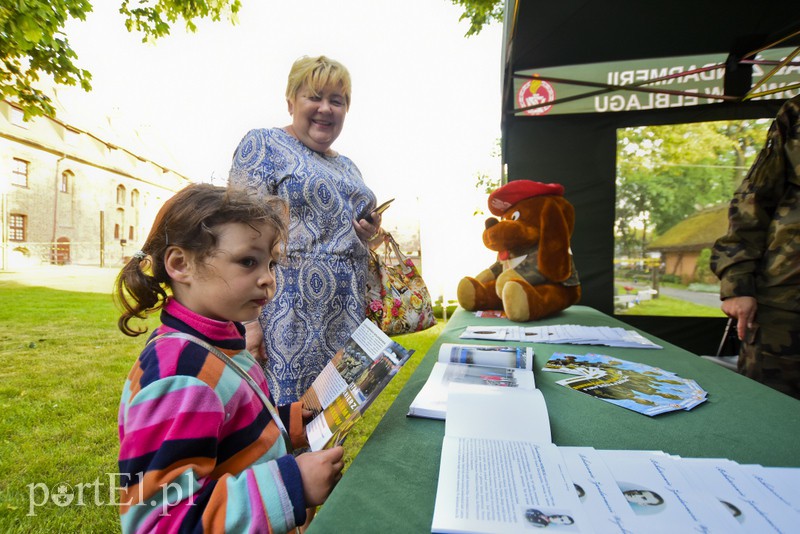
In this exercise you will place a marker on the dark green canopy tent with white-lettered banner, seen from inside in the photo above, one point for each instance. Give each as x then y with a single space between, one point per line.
575 71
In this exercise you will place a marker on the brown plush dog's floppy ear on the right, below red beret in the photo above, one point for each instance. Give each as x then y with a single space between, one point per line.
557 220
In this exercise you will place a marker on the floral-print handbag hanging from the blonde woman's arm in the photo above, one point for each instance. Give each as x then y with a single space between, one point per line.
397 299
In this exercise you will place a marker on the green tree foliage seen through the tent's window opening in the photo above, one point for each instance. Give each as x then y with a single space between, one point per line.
666 173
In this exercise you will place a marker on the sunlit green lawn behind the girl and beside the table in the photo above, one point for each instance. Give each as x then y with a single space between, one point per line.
63 366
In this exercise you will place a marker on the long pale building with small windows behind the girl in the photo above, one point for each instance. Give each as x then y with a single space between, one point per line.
73 196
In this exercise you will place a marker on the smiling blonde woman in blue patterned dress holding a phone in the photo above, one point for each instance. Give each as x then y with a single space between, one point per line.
321 283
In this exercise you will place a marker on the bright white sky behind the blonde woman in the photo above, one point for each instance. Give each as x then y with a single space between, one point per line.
424 119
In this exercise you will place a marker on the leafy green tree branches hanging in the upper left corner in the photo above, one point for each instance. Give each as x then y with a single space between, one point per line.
33 43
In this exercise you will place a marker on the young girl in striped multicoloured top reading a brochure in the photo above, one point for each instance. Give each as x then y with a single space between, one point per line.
199 449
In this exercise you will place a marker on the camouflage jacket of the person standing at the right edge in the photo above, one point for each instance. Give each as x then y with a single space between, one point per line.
760 254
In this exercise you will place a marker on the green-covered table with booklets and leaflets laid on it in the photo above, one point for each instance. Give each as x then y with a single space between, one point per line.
391 484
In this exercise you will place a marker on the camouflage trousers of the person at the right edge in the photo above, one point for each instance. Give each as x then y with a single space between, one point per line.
770 352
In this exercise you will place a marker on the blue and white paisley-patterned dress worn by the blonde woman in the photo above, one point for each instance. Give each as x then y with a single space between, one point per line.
320 295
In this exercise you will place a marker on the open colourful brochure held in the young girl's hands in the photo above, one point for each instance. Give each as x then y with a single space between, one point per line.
350 382
